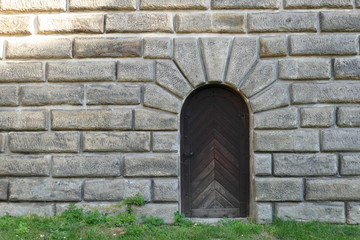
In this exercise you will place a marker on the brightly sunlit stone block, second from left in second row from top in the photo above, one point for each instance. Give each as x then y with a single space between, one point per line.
71 23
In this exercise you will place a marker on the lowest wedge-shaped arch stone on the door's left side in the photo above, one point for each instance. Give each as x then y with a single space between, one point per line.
157 97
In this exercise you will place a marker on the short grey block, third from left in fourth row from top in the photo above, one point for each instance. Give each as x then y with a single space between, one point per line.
135 71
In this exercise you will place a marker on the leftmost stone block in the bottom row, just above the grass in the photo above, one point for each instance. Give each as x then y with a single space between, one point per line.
26 209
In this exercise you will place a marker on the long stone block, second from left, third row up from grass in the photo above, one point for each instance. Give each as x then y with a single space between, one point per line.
85 166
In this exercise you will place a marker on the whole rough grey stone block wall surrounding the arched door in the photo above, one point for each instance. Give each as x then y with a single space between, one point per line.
91 94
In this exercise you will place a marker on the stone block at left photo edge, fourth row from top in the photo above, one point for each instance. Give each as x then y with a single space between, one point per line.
12 72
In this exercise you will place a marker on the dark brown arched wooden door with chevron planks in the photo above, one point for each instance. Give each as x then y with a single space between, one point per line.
215 154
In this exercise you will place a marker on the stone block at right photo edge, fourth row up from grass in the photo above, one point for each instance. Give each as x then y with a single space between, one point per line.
340 140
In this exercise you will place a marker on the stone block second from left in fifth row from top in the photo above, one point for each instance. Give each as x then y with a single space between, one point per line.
51 95
